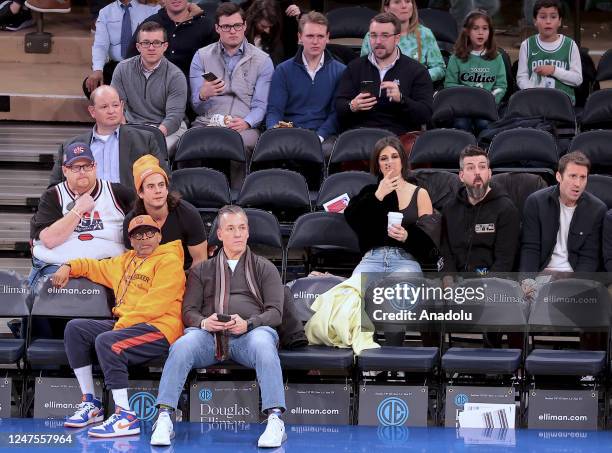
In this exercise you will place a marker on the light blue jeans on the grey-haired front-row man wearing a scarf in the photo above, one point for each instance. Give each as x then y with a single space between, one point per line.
196 349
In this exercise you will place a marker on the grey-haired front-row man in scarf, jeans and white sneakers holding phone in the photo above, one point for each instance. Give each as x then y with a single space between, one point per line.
232 304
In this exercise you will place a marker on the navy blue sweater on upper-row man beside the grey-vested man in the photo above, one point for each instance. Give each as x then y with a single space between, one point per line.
308 104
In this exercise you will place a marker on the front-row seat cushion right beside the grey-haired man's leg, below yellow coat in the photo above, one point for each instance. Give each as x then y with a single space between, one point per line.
316 358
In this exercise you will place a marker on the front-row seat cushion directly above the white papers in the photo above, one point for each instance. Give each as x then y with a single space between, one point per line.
482 361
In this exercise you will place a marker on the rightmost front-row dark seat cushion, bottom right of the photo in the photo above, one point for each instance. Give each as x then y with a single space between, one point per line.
570 363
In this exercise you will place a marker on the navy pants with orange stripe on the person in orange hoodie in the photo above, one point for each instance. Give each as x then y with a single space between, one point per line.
115 349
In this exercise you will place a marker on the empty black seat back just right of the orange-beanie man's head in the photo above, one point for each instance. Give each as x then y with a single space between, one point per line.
205 188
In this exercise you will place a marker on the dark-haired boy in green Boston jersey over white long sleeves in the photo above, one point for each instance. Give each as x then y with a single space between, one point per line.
549 59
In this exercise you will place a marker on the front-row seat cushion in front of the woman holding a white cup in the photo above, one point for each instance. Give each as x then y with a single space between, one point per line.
399 358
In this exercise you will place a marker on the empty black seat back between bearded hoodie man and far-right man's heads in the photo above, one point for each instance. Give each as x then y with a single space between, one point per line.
524 150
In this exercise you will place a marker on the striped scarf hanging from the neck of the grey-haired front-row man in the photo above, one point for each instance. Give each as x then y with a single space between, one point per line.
222 291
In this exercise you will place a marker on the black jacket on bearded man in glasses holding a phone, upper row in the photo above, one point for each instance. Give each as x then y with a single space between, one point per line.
410 114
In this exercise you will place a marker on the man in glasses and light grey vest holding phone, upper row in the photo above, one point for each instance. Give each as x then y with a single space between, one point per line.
238 95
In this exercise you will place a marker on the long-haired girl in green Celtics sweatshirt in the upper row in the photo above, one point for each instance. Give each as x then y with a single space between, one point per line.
476 63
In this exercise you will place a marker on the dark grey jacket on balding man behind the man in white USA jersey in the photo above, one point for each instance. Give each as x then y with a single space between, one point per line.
133 143
